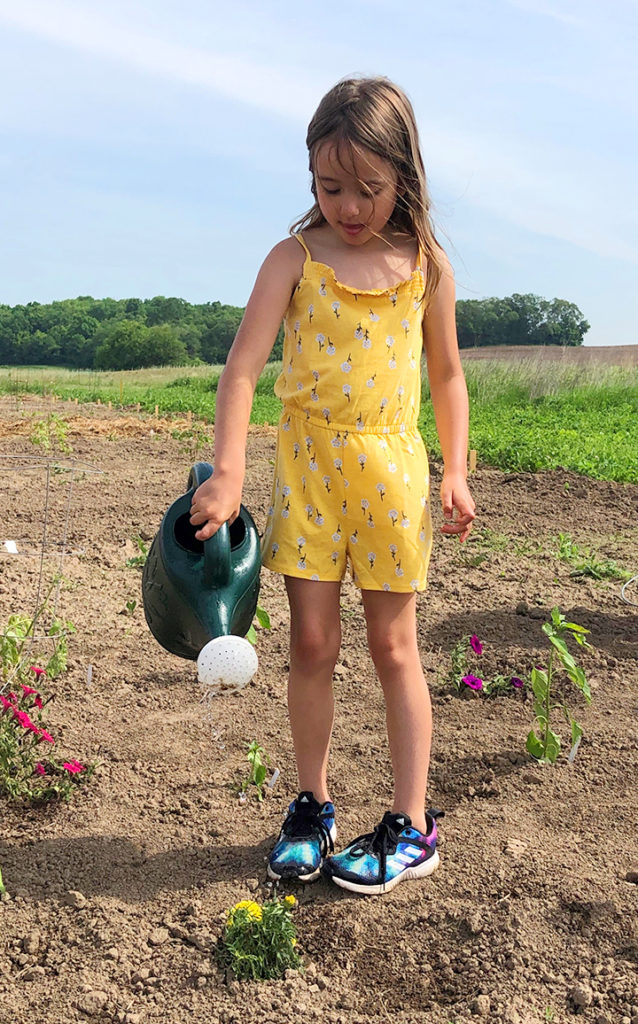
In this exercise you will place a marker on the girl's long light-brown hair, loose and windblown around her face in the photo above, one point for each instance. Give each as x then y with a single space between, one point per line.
374 114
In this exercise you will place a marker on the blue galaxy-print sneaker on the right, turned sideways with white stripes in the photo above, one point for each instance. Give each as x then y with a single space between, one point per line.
379 861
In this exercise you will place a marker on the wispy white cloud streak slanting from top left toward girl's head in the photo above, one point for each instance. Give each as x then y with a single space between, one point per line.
237 77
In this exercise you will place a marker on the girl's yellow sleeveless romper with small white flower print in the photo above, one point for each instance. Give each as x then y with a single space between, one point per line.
352 478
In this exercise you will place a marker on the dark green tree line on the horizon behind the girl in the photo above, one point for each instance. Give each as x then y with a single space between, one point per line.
127 334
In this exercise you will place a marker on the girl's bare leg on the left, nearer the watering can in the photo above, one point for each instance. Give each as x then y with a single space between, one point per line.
315 644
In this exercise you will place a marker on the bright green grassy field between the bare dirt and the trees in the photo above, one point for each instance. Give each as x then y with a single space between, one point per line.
525 416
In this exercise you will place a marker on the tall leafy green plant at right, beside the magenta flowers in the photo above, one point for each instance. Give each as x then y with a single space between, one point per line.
543 743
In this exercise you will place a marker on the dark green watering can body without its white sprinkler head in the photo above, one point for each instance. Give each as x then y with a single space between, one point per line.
195 591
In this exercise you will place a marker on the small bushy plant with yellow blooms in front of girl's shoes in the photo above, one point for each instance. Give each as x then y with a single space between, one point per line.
260 942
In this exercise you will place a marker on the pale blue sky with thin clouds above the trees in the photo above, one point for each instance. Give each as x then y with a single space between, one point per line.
156 148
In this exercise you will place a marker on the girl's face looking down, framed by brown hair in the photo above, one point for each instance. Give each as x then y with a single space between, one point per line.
356 193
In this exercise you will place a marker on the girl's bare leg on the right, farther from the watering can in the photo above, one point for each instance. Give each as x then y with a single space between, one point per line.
393 641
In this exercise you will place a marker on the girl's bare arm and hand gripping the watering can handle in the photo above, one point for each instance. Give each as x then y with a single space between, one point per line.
219 499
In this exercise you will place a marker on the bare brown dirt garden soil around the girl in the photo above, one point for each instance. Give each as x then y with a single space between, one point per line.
117 900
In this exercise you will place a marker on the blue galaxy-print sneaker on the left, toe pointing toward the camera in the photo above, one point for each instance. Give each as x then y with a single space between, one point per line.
308 835
